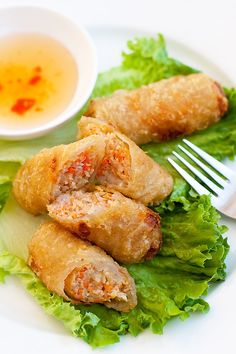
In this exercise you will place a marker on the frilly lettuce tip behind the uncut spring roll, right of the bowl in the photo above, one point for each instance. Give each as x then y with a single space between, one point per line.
145 62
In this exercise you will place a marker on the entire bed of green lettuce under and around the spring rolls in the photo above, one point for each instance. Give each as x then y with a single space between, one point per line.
194 250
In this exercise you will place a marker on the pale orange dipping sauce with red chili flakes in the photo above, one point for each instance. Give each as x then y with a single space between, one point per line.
38 78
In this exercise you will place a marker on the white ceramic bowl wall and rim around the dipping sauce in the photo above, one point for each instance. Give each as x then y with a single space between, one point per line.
25 19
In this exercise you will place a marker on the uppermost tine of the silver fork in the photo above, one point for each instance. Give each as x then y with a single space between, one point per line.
218 166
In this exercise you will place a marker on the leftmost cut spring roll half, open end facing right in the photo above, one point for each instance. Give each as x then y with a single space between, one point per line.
57 170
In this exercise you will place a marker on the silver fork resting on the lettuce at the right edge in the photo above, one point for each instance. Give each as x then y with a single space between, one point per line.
221 189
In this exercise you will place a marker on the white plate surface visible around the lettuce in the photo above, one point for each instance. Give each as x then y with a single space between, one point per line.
24 328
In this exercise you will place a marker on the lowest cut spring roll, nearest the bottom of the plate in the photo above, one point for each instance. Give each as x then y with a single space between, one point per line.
78 271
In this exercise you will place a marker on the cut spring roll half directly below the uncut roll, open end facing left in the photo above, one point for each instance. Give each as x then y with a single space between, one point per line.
125 167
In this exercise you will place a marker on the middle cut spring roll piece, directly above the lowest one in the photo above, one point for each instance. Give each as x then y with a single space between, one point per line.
127 230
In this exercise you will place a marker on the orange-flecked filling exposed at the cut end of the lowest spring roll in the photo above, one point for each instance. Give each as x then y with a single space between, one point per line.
90 285
